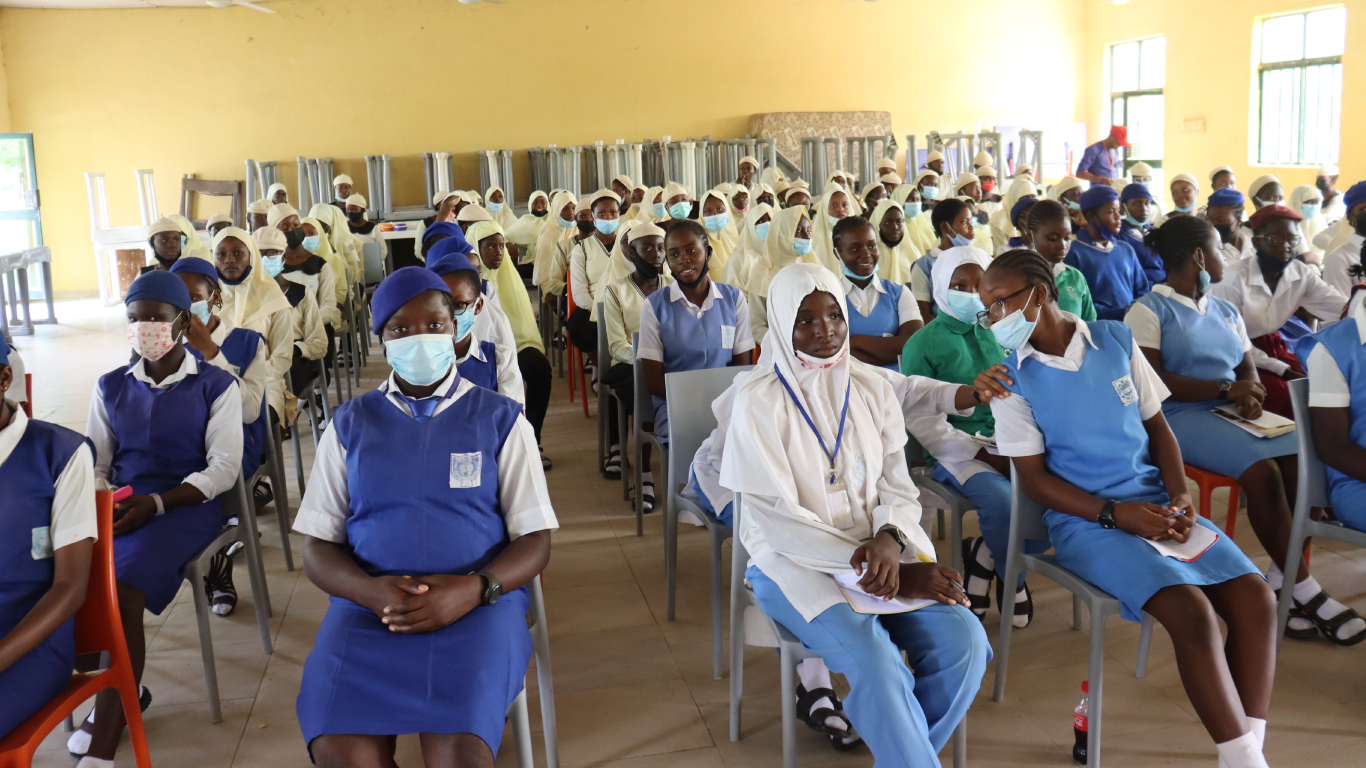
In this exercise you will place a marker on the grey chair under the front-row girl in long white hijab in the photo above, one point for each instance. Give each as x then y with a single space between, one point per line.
792 653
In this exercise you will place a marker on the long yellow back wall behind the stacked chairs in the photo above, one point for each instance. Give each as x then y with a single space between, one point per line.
201 90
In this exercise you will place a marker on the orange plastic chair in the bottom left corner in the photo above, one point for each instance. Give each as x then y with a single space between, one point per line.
98 629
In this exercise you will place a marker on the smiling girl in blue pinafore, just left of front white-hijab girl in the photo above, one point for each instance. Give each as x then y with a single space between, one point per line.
693 325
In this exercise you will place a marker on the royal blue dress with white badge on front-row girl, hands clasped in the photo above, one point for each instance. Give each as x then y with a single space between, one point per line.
424 501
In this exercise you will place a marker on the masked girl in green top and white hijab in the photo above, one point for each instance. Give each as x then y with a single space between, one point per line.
956 349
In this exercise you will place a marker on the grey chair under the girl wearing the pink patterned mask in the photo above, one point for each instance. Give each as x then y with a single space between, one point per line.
233 504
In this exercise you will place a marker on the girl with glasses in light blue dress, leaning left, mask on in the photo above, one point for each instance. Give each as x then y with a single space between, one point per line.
1115 480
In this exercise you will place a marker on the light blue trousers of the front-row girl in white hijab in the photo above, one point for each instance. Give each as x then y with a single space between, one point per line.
906 718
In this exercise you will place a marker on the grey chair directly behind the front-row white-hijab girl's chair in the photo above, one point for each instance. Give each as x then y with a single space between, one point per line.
689 402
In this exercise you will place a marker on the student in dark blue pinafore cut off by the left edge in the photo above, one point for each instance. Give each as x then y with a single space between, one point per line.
47 493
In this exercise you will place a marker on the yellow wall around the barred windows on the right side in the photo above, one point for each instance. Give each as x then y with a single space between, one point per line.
1211 76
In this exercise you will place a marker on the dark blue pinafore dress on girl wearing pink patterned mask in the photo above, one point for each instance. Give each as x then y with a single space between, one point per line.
161 442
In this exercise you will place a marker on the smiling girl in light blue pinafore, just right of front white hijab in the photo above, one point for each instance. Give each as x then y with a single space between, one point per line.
883 315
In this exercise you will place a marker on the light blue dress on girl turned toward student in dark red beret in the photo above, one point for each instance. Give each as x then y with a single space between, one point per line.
1210 348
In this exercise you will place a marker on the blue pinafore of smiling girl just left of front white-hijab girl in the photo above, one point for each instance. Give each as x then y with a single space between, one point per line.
693 344
